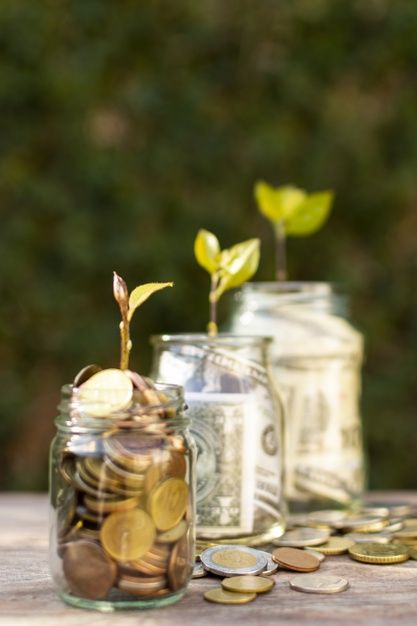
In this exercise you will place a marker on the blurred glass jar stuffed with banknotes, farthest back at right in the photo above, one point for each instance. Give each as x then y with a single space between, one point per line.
316 360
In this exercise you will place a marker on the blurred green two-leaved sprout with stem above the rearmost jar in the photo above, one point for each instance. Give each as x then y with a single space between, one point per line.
293 213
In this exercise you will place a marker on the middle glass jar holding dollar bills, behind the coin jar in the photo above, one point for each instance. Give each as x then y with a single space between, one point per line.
236 421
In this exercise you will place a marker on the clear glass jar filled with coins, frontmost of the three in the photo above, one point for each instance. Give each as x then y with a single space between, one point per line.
122 497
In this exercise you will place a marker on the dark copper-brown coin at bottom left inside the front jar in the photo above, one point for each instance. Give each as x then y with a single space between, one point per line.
89 572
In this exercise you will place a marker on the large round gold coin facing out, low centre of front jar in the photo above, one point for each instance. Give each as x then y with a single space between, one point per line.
127 536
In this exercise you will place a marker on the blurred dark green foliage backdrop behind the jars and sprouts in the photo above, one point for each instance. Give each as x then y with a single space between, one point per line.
126 126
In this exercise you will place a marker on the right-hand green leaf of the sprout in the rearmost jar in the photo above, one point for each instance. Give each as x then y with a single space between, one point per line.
311 215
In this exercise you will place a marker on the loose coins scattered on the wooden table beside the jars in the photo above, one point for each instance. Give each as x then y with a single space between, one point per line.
382 534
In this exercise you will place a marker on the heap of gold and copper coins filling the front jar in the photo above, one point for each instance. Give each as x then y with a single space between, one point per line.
124 521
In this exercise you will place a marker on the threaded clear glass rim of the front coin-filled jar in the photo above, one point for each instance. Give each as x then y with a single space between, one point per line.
74 414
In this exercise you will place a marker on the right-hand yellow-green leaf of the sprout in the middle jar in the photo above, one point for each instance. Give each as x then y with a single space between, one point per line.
237 265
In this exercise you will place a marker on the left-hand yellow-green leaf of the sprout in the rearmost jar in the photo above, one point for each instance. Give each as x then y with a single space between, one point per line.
278 204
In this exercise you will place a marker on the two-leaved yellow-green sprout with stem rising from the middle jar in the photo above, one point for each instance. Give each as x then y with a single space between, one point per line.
228 268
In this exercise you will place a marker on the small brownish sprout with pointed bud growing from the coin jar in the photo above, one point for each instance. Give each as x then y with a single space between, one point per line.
128 305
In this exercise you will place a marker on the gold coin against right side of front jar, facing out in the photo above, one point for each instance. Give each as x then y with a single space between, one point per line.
167 503
